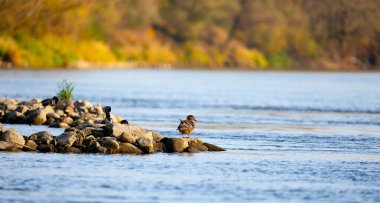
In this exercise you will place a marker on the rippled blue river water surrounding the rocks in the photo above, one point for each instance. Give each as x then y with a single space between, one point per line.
290 137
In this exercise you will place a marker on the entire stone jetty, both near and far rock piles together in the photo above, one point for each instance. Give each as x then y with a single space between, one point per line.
84 131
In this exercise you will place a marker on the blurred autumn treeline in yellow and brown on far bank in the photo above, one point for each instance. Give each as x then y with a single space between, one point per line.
259 34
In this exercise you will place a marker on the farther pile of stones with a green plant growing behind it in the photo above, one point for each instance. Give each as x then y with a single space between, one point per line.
62 115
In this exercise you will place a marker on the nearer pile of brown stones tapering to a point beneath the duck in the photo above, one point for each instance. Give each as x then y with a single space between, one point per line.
100 138
